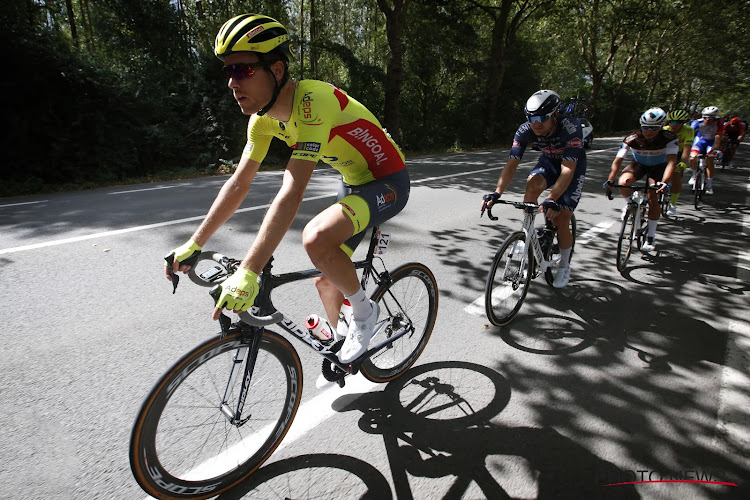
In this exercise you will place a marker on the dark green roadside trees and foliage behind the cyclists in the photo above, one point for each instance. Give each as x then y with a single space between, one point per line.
117 90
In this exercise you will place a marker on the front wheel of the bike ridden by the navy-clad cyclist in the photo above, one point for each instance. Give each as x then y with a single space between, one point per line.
504 294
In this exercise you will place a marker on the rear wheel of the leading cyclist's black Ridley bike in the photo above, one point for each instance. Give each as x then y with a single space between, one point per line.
411 292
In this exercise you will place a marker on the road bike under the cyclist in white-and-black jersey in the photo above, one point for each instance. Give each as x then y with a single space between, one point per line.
634 220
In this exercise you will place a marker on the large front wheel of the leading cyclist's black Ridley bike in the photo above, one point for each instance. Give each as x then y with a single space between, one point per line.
183 409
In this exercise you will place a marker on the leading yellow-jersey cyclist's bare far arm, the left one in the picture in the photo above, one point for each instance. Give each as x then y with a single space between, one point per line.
228 200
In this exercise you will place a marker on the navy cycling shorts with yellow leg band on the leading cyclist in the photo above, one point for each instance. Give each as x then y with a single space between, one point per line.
372 204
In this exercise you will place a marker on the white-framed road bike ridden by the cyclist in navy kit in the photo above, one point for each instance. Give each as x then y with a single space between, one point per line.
516 263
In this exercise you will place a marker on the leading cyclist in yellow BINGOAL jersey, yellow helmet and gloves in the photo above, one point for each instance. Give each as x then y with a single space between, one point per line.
321 123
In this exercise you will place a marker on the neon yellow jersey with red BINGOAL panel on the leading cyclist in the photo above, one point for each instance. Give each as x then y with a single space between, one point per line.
329 126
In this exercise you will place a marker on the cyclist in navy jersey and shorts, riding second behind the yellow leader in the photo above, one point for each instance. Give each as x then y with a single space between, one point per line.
561 168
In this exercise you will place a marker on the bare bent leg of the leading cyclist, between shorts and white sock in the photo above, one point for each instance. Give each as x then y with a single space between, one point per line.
322 239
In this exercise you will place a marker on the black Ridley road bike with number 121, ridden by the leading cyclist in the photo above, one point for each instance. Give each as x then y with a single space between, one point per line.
220 411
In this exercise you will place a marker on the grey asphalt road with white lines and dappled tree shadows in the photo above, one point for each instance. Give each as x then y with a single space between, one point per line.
617 378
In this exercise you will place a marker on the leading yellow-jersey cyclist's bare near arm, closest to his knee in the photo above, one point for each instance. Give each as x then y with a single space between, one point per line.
280 215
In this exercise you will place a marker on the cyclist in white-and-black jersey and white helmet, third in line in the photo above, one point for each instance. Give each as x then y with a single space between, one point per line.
654 151
